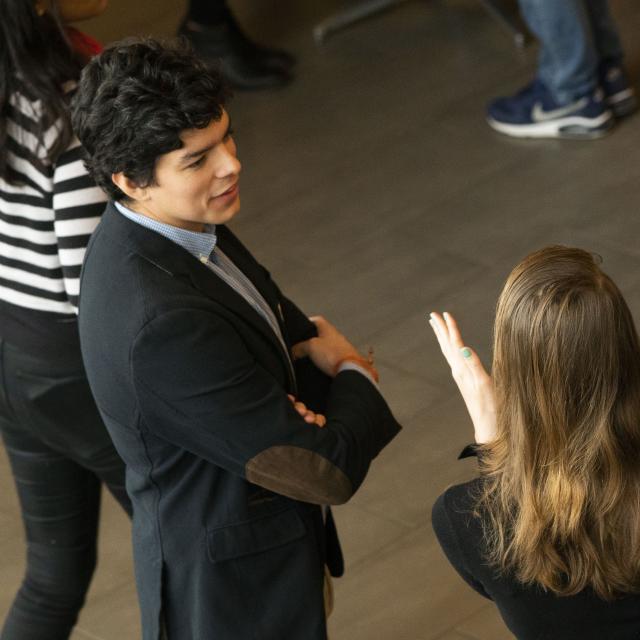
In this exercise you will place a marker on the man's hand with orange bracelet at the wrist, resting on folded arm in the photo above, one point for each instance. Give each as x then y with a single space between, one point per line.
330 349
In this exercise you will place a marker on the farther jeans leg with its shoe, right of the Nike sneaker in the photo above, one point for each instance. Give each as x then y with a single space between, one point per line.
619 95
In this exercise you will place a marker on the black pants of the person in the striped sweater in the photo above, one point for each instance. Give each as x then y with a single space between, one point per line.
60 454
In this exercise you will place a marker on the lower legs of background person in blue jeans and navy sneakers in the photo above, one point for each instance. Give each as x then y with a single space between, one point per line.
580 86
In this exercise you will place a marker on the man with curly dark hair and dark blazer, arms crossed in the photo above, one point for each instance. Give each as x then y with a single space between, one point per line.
194 354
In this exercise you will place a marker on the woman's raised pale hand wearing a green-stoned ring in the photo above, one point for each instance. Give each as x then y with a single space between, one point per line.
474 382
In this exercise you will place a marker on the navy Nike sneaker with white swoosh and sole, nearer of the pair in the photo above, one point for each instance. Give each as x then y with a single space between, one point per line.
533 113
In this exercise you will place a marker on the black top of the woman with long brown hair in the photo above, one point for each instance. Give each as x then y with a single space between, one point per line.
529 612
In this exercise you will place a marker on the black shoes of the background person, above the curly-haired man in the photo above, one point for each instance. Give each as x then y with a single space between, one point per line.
244 64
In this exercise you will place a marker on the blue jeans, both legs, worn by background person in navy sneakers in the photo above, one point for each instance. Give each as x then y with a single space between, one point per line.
576 36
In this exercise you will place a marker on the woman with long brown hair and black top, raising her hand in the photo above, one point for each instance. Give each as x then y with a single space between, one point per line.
551 529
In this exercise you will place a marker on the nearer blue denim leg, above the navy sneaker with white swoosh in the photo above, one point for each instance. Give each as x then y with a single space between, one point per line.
568 60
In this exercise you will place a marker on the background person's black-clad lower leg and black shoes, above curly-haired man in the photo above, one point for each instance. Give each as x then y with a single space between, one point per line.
215 35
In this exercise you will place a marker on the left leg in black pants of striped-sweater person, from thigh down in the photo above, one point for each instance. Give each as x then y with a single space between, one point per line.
60 502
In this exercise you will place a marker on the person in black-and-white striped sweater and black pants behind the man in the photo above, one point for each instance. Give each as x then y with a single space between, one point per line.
59 450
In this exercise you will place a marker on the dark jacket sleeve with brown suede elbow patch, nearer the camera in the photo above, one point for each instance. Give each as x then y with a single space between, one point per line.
201 388
